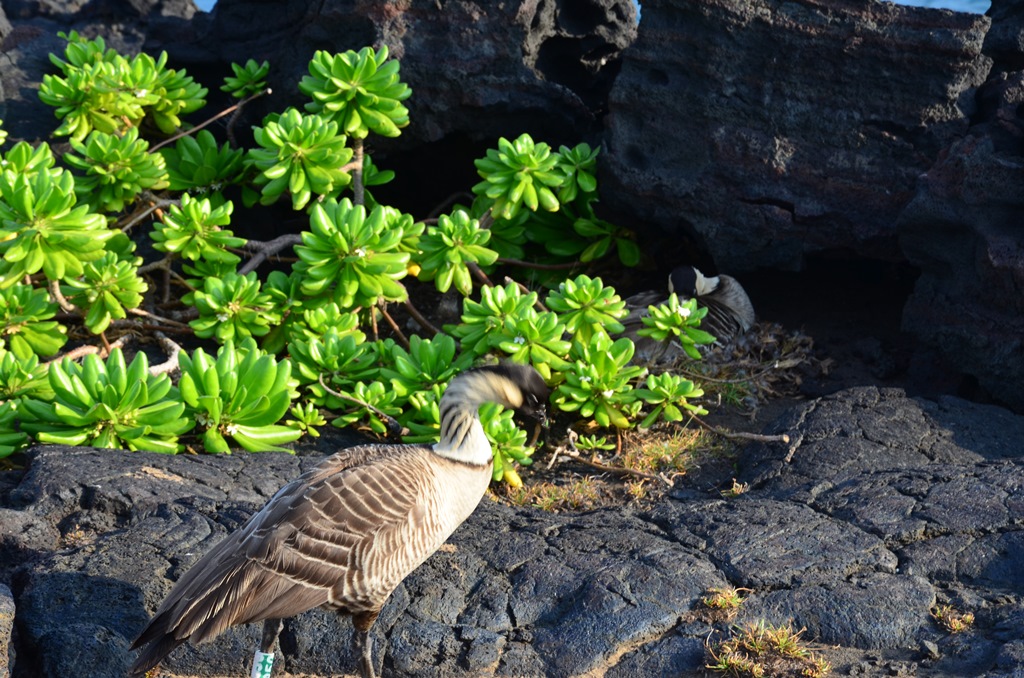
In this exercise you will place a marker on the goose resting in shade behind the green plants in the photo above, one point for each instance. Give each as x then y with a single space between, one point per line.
731 313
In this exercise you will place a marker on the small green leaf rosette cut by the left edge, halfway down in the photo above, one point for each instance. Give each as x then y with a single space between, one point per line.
25 323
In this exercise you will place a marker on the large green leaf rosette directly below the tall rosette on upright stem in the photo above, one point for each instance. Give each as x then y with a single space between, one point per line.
354 256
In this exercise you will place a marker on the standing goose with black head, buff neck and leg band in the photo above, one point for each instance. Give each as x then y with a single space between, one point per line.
347 533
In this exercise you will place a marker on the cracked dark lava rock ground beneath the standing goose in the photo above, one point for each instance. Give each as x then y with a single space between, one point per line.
887 507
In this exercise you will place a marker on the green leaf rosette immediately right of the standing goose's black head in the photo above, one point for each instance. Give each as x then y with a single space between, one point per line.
598 383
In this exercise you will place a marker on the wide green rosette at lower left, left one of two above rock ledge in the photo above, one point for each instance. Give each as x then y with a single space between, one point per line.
108 405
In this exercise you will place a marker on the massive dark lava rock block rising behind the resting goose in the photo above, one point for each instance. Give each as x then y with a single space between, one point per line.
765 130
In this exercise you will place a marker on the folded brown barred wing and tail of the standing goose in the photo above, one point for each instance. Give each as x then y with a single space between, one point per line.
310 543
